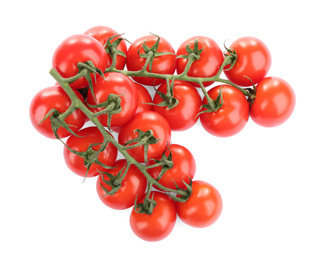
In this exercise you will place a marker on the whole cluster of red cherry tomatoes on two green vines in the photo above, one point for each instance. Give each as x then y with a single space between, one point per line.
99 79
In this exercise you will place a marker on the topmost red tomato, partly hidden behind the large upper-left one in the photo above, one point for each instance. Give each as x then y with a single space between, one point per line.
102 34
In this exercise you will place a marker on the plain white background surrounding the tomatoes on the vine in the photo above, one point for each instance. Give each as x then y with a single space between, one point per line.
271 179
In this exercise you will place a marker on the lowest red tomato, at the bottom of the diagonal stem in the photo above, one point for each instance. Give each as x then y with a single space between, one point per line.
159 224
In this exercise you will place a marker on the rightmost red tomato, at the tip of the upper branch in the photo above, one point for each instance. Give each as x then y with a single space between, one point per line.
274 103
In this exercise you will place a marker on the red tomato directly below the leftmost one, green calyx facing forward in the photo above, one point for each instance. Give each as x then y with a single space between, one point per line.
88 137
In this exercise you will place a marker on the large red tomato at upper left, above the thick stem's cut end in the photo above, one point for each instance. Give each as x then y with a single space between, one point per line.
78 48
